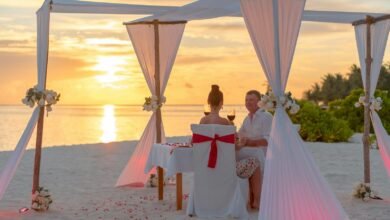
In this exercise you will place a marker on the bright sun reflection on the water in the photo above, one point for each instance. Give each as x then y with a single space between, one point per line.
108 125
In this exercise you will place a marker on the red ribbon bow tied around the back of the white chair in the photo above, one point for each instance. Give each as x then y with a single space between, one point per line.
198 138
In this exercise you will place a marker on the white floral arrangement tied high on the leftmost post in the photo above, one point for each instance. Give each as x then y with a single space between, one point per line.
45 98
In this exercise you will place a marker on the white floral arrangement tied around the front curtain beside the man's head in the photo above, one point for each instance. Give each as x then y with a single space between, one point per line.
269 102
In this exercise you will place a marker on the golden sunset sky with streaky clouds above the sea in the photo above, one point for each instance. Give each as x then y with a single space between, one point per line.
92 61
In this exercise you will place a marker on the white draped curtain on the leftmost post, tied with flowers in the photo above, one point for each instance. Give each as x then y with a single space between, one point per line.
43 20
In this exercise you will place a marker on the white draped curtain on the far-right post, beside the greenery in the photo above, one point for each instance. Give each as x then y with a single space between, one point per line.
379 35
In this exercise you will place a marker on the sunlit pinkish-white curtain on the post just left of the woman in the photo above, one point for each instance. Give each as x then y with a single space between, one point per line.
143 39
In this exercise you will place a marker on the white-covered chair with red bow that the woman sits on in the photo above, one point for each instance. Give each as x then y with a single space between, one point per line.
216 192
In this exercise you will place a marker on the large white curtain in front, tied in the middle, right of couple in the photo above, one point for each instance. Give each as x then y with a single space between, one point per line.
293 187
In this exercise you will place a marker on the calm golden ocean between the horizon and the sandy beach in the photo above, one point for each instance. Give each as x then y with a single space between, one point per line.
73 125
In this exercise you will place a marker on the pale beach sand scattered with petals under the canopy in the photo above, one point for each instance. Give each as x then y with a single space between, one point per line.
81 180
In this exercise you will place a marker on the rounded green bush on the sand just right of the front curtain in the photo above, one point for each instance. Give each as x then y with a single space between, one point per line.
320 125
